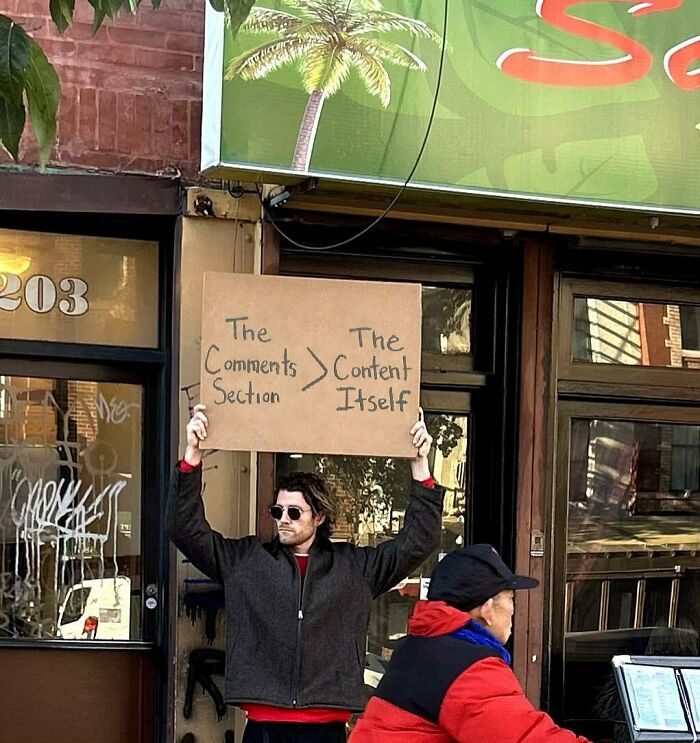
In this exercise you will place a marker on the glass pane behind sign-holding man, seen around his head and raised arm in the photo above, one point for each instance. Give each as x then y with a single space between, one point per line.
372 495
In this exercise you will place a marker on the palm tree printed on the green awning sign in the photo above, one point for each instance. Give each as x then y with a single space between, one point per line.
328 38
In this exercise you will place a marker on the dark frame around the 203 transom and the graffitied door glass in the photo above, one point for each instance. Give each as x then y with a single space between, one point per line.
148 367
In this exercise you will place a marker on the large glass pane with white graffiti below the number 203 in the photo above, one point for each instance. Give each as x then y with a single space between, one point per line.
70 509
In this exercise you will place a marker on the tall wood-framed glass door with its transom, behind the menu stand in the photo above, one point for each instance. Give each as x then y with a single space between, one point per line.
625 571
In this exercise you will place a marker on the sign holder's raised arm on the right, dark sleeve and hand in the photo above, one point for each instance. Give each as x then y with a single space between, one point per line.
387 564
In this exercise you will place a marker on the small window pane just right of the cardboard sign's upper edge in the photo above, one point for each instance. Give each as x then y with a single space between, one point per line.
446 320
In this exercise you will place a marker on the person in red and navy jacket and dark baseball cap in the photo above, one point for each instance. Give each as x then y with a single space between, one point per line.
450 680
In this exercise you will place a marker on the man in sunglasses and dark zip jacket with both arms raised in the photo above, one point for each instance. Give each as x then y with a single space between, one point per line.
297 608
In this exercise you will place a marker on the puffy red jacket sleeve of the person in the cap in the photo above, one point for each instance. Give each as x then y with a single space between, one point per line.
486 702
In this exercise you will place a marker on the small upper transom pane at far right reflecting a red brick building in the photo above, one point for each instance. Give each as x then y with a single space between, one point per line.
613 331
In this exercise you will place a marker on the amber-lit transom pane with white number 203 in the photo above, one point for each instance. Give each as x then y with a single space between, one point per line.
76 289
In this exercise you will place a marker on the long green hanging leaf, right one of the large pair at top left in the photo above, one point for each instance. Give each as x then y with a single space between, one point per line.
43 94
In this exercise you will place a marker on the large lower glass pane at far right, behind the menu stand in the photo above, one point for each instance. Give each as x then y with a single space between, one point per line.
633 540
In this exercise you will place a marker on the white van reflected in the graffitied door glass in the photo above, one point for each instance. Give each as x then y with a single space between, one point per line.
98 609
